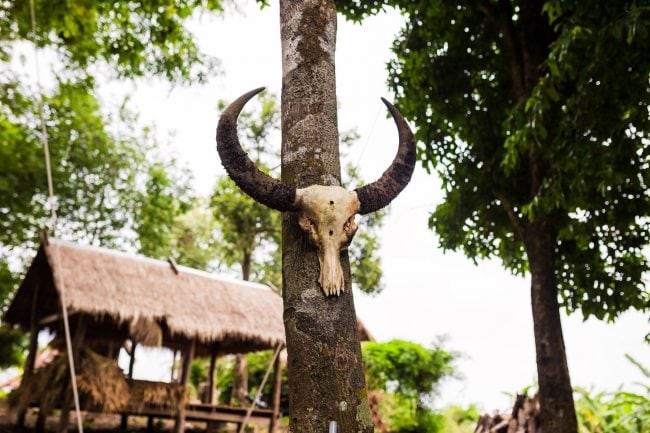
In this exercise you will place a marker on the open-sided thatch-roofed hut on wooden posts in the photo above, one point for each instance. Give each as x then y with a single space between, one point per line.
114 297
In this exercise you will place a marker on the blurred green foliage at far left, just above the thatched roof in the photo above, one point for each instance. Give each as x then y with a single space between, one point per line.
98 168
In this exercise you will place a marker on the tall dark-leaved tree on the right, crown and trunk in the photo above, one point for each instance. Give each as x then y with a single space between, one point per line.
535 115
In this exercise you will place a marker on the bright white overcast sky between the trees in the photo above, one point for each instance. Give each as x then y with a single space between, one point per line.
481 311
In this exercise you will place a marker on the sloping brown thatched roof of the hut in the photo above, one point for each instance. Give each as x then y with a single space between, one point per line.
121 288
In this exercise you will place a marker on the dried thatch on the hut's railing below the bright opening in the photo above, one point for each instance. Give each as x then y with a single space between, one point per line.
167 396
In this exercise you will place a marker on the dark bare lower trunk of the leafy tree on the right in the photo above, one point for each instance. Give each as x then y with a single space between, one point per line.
555 392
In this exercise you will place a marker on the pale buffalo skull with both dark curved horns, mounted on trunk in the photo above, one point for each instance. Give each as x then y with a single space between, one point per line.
326 213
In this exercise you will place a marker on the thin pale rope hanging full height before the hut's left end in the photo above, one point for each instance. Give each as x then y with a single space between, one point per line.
53 222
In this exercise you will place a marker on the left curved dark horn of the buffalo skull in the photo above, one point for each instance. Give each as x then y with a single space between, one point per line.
260 186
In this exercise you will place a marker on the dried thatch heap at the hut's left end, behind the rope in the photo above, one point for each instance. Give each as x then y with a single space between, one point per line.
101 384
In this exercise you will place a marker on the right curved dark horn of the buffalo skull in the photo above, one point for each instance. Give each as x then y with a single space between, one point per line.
381 192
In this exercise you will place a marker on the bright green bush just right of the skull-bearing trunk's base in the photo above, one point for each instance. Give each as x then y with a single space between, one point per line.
407 374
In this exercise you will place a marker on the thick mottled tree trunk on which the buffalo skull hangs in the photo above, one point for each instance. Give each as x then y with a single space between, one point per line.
326 379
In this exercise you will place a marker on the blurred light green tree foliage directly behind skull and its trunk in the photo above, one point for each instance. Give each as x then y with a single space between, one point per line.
249 233
